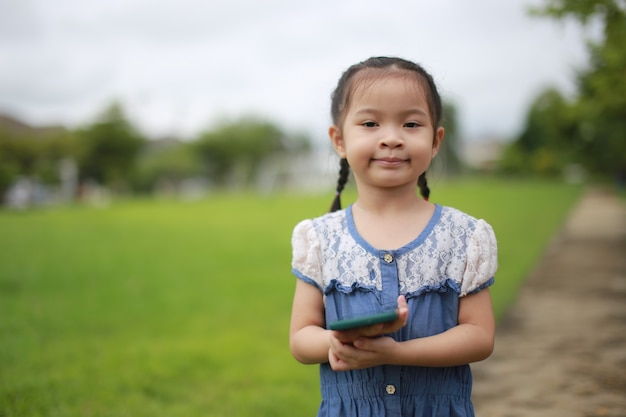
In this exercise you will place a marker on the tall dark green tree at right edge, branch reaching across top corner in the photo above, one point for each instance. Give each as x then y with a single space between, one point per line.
601 101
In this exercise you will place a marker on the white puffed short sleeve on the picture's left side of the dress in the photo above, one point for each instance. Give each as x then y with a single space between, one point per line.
306 262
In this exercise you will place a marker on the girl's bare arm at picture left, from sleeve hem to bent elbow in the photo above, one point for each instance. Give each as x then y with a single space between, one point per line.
308 339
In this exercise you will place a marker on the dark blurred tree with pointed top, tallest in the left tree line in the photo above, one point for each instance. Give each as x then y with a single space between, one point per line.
109 148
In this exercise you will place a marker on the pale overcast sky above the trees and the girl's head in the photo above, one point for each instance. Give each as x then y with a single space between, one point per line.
177 66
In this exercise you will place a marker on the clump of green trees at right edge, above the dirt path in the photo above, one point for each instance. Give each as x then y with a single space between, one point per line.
588 130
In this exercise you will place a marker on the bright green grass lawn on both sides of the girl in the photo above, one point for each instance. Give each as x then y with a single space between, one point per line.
182 309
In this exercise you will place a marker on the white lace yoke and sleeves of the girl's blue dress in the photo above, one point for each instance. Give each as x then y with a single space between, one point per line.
459 249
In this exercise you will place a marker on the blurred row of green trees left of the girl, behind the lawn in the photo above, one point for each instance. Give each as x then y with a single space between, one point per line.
111 152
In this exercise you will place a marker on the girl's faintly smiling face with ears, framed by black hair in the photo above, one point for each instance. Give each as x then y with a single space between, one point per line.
387 135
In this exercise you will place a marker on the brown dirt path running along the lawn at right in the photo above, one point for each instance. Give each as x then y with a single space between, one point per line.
561 350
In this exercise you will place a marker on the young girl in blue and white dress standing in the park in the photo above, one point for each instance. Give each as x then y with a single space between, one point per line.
392 249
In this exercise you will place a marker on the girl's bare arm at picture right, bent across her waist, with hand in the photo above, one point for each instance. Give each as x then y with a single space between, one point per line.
470 341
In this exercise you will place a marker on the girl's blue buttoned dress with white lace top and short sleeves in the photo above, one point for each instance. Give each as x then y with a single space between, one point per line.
455 255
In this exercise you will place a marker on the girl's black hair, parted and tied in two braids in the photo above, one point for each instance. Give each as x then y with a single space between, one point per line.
340 100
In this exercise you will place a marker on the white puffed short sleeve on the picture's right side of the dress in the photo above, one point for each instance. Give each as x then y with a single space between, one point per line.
482 259
